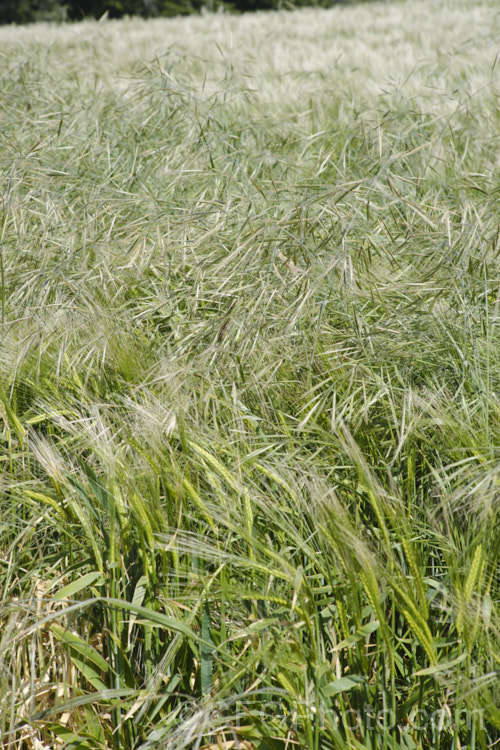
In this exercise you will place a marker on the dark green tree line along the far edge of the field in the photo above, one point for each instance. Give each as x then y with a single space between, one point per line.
27 11
